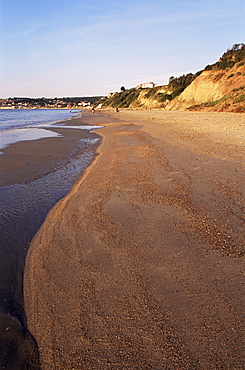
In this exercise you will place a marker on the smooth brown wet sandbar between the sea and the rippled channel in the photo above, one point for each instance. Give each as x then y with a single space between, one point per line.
24 161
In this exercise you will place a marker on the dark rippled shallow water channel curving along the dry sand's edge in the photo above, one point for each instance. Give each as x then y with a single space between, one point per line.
23 212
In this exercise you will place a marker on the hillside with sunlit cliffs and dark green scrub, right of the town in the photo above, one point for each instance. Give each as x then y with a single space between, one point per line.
219 87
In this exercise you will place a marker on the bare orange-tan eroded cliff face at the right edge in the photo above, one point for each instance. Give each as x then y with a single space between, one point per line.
221 90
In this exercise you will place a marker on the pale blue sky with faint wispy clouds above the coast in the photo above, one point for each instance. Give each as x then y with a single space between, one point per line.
83 48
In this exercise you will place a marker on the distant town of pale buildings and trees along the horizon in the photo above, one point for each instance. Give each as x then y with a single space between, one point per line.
48 103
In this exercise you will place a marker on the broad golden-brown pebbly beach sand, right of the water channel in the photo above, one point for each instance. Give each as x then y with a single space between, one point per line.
141 265
